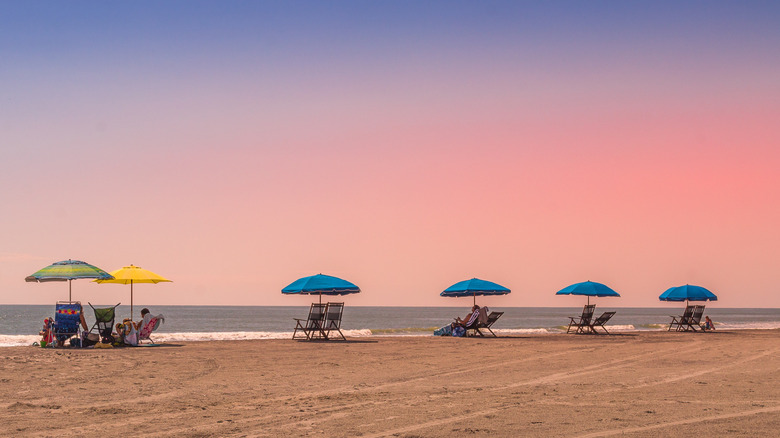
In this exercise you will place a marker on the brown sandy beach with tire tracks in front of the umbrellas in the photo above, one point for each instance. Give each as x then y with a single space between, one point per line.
640 384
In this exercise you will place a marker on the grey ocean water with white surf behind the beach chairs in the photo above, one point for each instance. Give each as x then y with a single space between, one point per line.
20 324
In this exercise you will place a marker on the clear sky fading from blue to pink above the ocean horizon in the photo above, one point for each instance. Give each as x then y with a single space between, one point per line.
234 147
